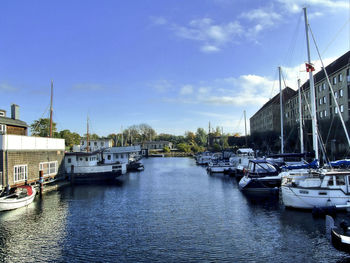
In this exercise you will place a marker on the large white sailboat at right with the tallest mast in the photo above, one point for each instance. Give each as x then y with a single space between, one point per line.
316 188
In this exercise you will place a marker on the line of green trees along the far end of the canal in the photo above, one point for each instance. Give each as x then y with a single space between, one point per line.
197 141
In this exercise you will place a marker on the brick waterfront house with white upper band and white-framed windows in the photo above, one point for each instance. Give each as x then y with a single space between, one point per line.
23 157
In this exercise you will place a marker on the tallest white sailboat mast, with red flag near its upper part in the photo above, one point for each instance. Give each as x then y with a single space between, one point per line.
312 92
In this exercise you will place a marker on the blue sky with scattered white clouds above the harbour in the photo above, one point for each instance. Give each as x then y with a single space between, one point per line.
175 65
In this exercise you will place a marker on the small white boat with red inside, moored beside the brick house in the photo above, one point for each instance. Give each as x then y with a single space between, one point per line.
21 196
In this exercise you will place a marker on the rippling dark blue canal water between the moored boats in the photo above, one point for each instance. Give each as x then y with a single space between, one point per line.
173 211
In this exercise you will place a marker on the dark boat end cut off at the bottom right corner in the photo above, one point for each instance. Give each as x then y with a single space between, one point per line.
340 237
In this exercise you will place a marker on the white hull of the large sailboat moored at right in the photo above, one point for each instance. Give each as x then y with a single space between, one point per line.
309 198
